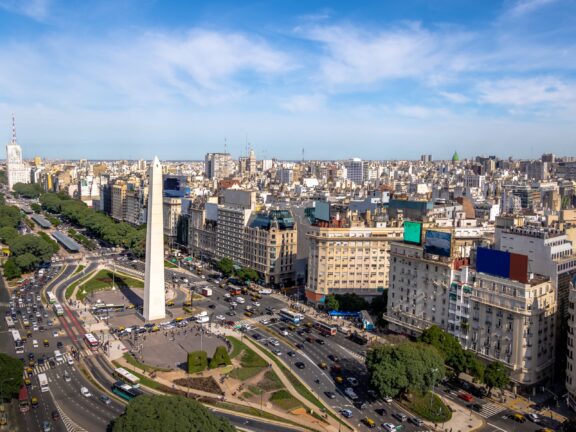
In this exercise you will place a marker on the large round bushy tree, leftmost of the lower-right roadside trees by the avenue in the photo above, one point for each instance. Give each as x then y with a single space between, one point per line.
409 366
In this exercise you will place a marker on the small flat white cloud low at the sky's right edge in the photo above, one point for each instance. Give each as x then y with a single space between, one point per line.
527 92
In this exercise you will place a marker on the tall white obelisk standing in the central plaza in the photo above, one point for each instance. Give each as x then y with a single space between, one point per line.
154 294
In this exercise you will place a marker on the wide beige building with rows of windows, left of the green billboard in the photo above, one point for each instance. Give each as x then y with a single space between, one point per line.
348 256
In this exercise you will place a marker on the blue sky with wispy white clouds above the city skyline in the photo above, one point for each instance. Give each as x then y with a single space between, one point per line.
384 80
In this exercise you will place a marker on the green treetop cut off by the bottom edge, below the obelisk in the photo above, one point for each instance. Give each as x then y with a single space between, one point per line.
149 413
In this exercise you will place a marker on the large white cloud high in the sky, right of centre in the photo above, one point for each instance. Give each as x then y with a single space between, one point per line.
356 57
